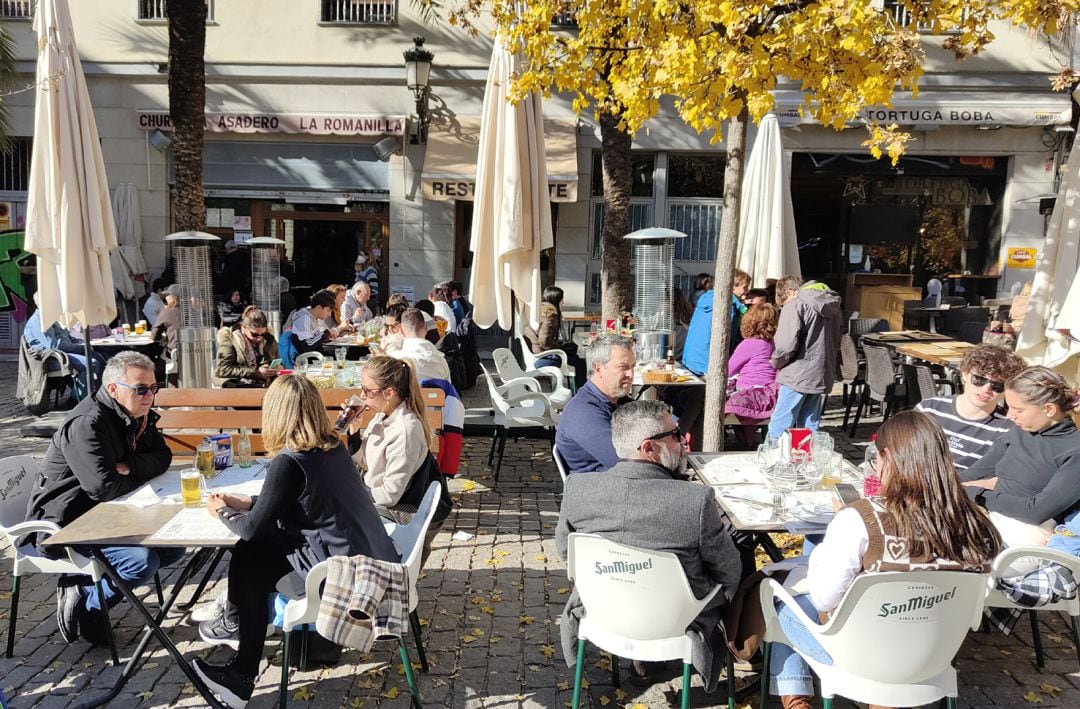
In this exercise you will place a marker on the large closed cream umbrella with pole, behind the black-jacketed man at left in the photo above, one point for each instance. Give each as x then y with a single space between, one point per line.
70 219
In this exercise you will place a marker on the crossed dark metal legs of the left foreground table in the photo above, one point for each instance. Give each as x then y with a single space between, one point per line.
154 628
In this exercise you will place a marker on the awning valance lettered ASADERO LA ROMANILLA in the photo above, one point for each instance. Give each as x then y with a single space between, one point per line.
307 124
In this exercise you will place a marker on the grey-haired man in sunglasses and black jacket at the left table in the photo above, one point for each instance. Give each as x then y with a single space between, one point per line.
107 447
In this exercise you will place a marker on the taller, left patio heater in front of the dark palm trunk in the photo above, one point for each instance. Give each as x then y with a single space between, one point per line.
196 338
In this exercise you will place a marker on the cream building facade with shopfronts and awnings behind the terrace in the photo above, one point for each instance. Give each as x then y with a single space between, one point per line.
301 98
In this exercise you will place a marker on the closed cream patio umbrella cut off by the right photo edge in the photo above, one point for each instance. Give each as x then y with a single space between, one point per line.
1041 340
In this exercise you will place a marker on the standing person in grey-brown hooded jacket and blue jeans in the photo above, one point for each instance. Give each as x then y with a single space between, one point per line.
808 342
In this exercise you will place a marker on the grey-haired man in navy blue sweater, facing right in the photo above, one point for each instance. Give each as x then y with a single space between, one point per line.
584 436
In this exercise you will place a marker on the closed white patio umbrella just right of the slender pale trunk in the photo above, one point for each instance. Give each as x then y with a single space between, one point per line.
768 248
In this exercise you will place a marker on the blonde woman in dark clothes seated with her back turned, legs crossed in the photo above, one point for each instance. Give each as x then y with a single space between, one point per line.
313 507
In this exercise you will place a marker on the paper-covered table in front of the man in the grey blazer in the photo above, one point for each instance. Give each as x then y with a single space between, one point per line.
745 497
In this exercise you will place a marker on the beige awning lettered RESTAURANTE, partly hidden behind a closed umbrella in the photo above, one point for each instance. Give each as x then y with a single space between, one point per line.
450 168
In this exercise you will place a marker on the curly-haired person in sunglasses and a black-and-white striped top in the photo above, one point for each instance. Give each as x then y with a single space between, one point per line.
976 419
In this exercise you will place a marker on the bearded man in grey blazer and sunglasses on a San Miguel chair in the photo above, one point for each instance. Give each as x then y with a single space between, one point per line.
645 501
